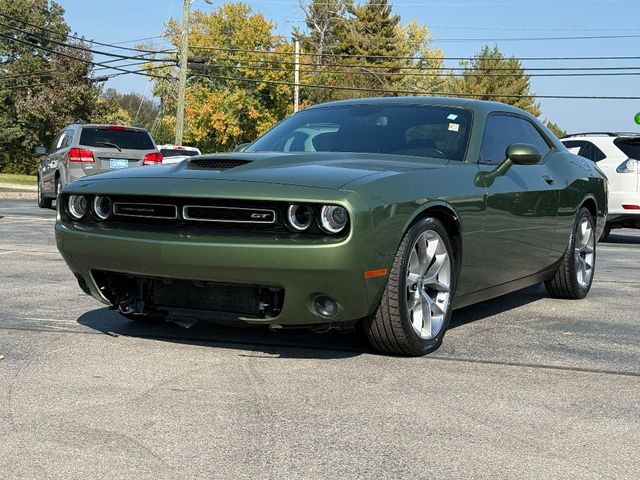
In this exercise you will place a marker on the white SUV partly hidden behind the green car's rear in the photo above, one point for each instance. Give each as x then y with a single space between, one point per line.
618 156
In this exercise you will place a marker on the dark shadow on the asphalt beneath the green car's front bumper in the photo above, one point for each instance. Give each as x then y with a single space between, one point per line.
253 340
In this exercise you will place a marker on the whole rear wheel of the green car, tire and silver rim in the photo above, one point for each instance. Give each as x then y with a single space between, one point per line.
575 273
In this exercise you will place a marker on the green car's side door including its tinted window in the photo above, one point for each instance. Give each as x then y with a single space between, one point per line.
522 204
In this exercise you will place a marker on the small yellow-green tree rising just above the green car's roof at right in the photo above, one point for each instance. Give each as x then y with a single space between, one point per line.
492 76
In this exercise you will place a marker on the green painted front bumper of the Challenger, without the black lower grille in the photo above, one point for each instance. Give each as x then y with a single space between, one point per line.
301 269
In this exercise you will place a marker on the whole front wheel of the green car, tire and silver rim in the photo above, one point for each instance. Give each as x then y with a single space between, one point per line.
415 309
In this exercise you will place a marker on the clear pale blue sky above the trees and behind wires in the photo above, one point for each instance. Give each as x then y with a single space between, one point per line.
459 28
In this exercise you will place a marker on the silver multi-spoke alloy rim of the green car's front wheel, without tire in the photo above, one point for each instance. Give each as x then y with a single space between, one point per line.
428 284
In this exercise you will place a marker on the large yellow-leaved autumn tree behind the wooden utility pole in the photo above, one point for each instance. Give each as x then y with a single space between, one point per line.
235 91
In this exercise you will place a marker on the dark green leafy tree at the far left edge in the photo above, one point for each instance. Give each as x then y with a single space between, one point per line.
43 85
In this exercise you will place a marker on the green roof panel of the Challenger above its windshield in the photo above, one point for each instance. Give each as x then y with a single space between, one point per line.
479 106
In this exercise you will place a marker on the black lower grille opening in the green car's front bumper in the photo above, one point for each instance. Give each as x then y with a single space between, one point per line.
189 297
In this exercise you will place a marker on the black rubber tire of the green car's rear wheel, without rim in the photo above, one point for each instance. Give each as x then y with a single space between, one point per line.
565 283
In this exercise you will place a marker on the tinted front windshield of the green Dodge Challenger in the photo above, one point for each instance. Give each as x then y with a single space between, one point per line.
424 131
